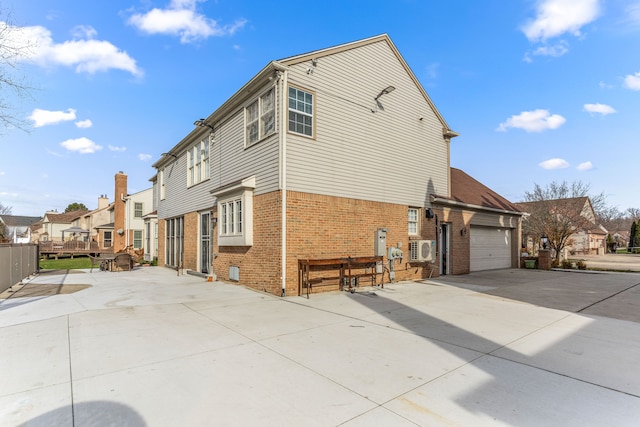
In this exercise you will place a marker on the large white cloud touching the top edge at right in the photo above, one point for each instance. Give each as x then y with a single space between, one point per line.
557 17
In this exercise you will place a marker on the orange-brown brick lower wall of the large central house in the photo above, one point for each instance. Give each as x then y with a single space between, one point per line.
320 226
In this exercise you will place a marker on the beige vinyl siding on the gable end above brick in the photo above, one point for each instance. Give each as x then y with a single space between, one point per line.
388 156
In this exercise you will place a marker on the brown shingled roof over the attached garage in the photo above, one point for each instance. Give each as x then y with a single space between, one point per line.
468 191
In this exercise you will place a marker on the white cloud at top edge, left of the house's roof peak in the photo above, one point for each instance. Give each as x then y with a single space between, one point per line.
181 18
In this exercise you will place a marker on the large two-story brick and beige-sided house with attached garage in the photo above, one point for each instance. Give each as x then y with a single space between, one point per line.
321 155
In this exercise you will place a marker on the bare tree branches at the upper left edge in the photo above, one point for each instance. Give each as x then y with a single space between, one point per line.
13 48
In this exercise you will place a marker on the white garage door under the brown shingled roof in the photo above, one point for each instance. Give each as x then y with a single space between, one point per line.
490 248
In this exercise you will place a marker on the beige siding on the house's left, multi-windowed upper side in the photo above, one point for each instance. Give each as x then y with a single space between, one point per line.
229 161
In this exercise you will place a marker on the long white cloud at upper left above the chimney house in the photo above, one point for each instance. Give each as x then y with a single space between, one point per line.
83 52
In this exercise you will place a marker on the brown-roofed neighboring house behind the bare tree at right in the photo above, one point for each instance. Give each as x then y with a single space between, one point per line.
587 236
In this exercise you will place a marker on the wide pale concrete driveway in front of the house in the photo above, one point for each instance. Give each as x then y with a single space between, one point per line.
150 348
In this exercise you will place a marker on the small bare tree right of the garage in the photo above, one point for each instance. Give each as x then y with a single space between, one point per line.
556 212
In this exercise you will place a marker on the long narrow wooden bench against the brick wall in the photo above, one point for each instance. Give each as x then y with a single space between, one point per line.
343 273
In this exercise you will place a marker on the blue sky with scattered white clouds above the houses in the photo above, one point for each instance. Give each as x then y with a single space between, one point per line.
539 91
